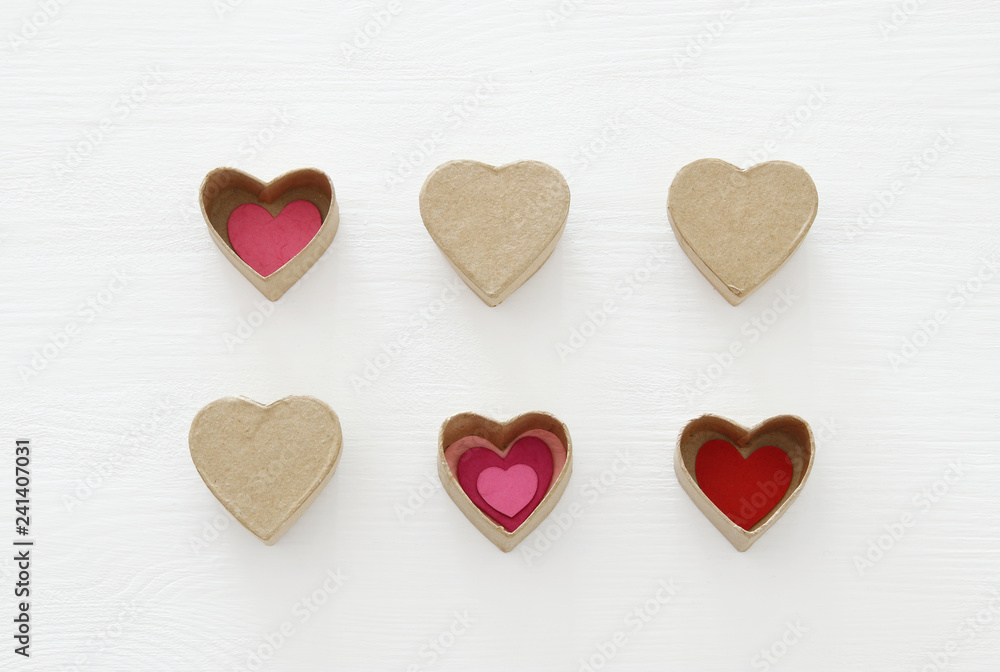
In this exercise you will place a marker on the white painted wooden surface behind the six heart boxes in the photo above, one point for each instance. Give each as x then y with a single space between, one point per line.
111 114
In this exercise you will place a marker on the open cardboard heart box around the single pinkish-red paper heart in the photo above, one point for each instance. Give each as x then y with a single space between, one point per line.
225 189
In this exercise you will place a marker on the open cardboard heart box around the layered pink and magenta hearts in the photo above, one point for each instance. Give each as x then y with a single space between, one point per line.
501 436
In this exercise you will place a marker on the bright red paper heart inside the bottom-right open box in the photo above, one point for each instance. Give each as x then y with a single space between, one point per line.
744 489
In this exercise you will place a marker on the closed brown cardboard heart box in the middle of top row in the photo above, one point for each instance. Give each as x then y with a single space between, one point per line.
496 226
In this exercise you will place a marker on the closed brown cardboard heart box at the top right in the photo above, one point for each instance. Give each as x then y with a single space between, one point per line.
740 226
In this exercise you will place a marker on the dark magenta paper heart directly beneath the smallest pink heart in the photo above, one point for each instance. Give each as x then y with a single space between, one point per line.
530 451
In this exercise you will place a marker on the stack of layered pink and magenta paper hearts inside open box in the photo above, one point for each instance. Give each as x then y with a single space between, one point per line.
509 487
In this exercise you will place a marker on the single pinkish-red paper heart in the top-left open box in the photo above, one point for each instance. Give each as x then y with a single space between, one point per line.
267 243
